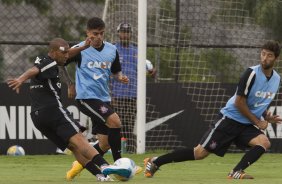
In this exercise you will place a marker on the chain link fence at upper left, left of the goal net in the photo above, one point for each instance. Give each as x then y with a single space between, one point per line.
28 25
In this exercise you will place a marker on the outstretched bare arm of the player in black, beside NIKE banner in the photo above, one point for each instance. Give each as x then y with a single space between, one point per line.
17 82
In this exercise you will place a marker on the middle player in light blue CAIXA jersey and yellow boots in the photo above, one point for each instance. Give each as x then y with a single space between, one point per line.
96 61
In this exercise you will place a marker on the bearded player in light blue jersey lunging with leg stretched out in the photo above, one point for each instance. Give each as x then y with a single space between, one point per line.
239 122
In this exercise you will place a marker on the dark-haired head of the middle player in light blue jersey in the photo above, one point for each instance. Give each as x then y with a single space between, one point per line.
96 30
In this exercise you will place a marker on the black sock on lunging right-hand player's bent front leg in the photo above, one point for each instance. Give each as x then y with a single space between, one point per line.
250 157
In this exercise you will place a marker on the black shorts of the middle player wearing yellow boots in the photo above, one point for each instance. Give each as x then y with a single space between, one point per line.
98 111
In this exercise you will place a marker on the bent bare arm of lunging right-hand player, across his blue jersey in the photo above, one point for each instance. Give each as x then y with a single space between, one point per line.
241 104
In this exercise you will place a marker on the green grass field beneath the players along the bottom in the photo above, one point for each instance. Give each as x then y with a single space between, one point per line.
51 169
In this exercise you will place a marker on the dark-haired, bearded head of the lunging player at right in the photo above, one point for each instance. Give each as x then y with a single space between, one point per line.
270 52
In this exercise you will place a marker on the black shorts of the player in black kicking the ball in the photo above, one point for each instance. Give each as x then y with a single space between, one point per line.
56 124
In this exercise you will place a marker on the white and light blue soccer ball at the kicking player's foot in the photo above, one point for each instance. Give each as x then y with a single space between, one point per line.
128 164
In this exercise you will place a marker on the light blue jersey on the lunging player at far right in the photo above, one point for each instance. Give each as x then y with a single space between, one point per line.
259 95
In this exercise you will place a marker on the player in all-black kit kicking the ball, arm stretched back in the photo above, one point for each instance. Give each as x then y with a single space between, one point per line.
48 114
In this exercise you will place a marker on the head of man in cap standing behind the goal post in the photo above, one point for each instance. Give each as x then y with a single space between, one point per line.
124 32
